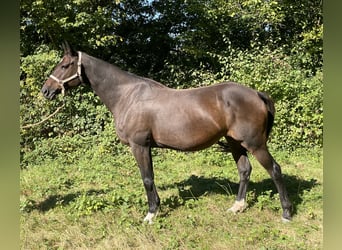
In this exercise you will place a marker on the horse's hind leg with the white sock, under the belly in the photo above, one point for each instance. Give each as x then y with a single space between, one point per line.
244 168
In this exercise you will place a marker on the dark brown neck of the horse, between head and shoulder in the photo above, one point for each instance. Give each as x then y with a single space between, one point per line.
108 82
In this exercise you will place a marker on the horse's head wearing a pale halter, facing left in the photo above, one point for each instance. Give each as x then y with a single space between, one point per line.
66 74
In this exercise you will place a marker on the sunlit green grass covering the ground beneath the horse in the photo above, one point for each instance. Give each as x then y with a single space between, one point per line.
96 200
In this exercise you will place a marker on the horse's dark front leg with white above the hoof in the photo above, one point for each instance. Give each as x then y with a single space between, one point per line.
143 157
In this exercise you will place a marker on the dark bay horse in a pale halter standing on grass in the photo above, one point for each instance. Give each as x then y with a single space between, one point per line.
148 114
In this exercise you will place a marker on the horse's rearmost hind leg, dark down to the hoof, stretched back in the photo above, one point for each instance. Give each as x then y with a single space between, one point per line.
274 170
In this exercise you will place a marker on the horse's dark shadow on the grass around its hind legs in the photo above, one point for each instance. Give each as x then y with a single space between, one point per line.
196 186
